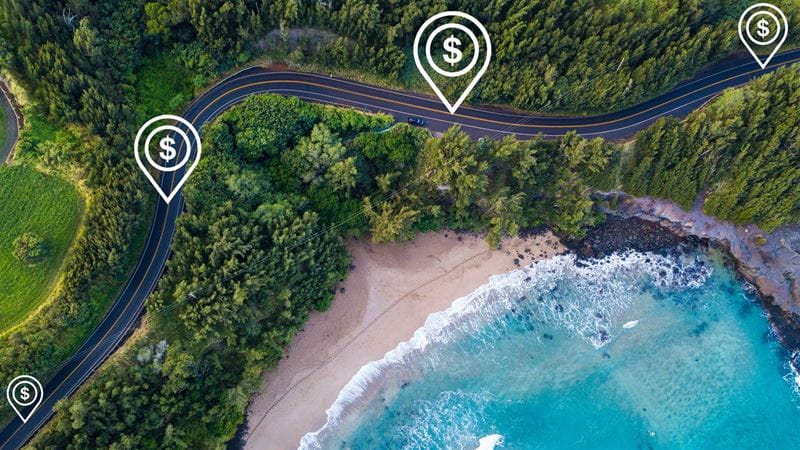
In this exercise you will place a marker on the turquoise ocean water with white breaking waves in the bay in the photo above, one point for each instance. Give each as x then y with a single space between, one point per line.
631 351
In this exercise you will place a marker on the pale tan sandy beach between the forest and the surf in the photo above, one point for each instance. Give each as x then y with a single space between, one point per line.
387 296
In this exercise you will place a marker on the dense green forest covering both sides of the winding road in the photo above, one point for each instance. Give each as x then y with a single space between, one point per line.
283 181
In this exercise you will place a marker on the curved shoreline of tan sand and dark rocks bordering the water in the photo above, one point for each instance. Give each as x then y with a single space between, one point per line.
637 224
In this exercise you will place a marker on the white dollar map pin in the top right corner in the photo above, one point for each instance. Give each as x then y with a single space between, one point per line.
763 28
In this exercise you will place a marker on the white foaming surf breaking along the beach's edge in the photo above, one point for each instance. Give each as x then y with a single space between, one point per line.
585 299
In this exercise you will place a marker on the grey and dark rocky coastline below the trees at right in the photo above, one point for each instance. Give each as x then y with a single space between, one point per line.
768 261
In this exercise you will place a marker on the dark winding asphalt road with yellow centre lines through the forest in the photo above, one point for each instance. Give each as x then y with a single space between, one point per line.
124 314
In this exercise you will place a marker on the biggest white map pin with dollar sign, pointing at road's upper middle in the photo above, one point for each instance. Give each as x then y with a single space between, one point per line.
459 40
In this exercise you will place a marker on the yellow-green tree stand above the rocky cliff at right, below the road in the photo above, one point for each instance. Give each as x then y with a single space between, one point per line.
742 152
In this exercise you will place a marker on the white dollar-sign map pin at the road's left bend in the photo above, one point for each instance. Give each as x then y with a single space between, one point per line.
190 149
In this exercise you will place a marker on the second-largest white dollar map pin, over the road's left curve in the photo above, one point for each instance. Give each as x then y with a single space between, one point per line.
178 153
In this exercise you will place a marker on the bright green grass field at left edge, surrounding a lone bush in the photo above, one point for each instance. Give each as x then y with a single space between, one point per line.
47 206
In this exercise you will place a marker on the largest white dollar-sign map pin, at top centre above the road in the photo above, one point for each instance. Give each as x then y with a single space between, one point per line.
452 107
